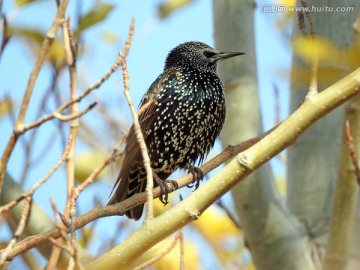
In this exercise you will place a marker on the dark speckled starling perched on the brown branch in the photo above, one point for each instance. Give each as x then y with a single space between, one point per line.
180 116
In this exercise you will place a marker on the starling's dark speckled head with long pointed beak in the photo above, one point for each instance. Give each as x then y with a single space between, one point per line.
196 55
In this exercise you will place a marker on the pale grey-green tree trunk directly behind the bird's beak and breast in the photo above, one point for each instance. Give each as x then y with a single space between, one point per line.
276 240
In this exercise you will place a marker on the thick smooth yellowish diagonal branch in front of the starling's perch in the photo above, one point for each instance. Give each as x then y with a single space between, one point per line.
192 207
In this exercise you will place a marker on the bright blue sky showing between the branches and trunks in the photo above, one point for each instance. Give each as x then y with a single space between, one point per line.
152 41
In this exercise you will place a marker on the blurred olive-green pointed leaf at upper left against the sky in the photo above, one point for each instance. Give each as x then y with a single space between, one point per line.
96 15
